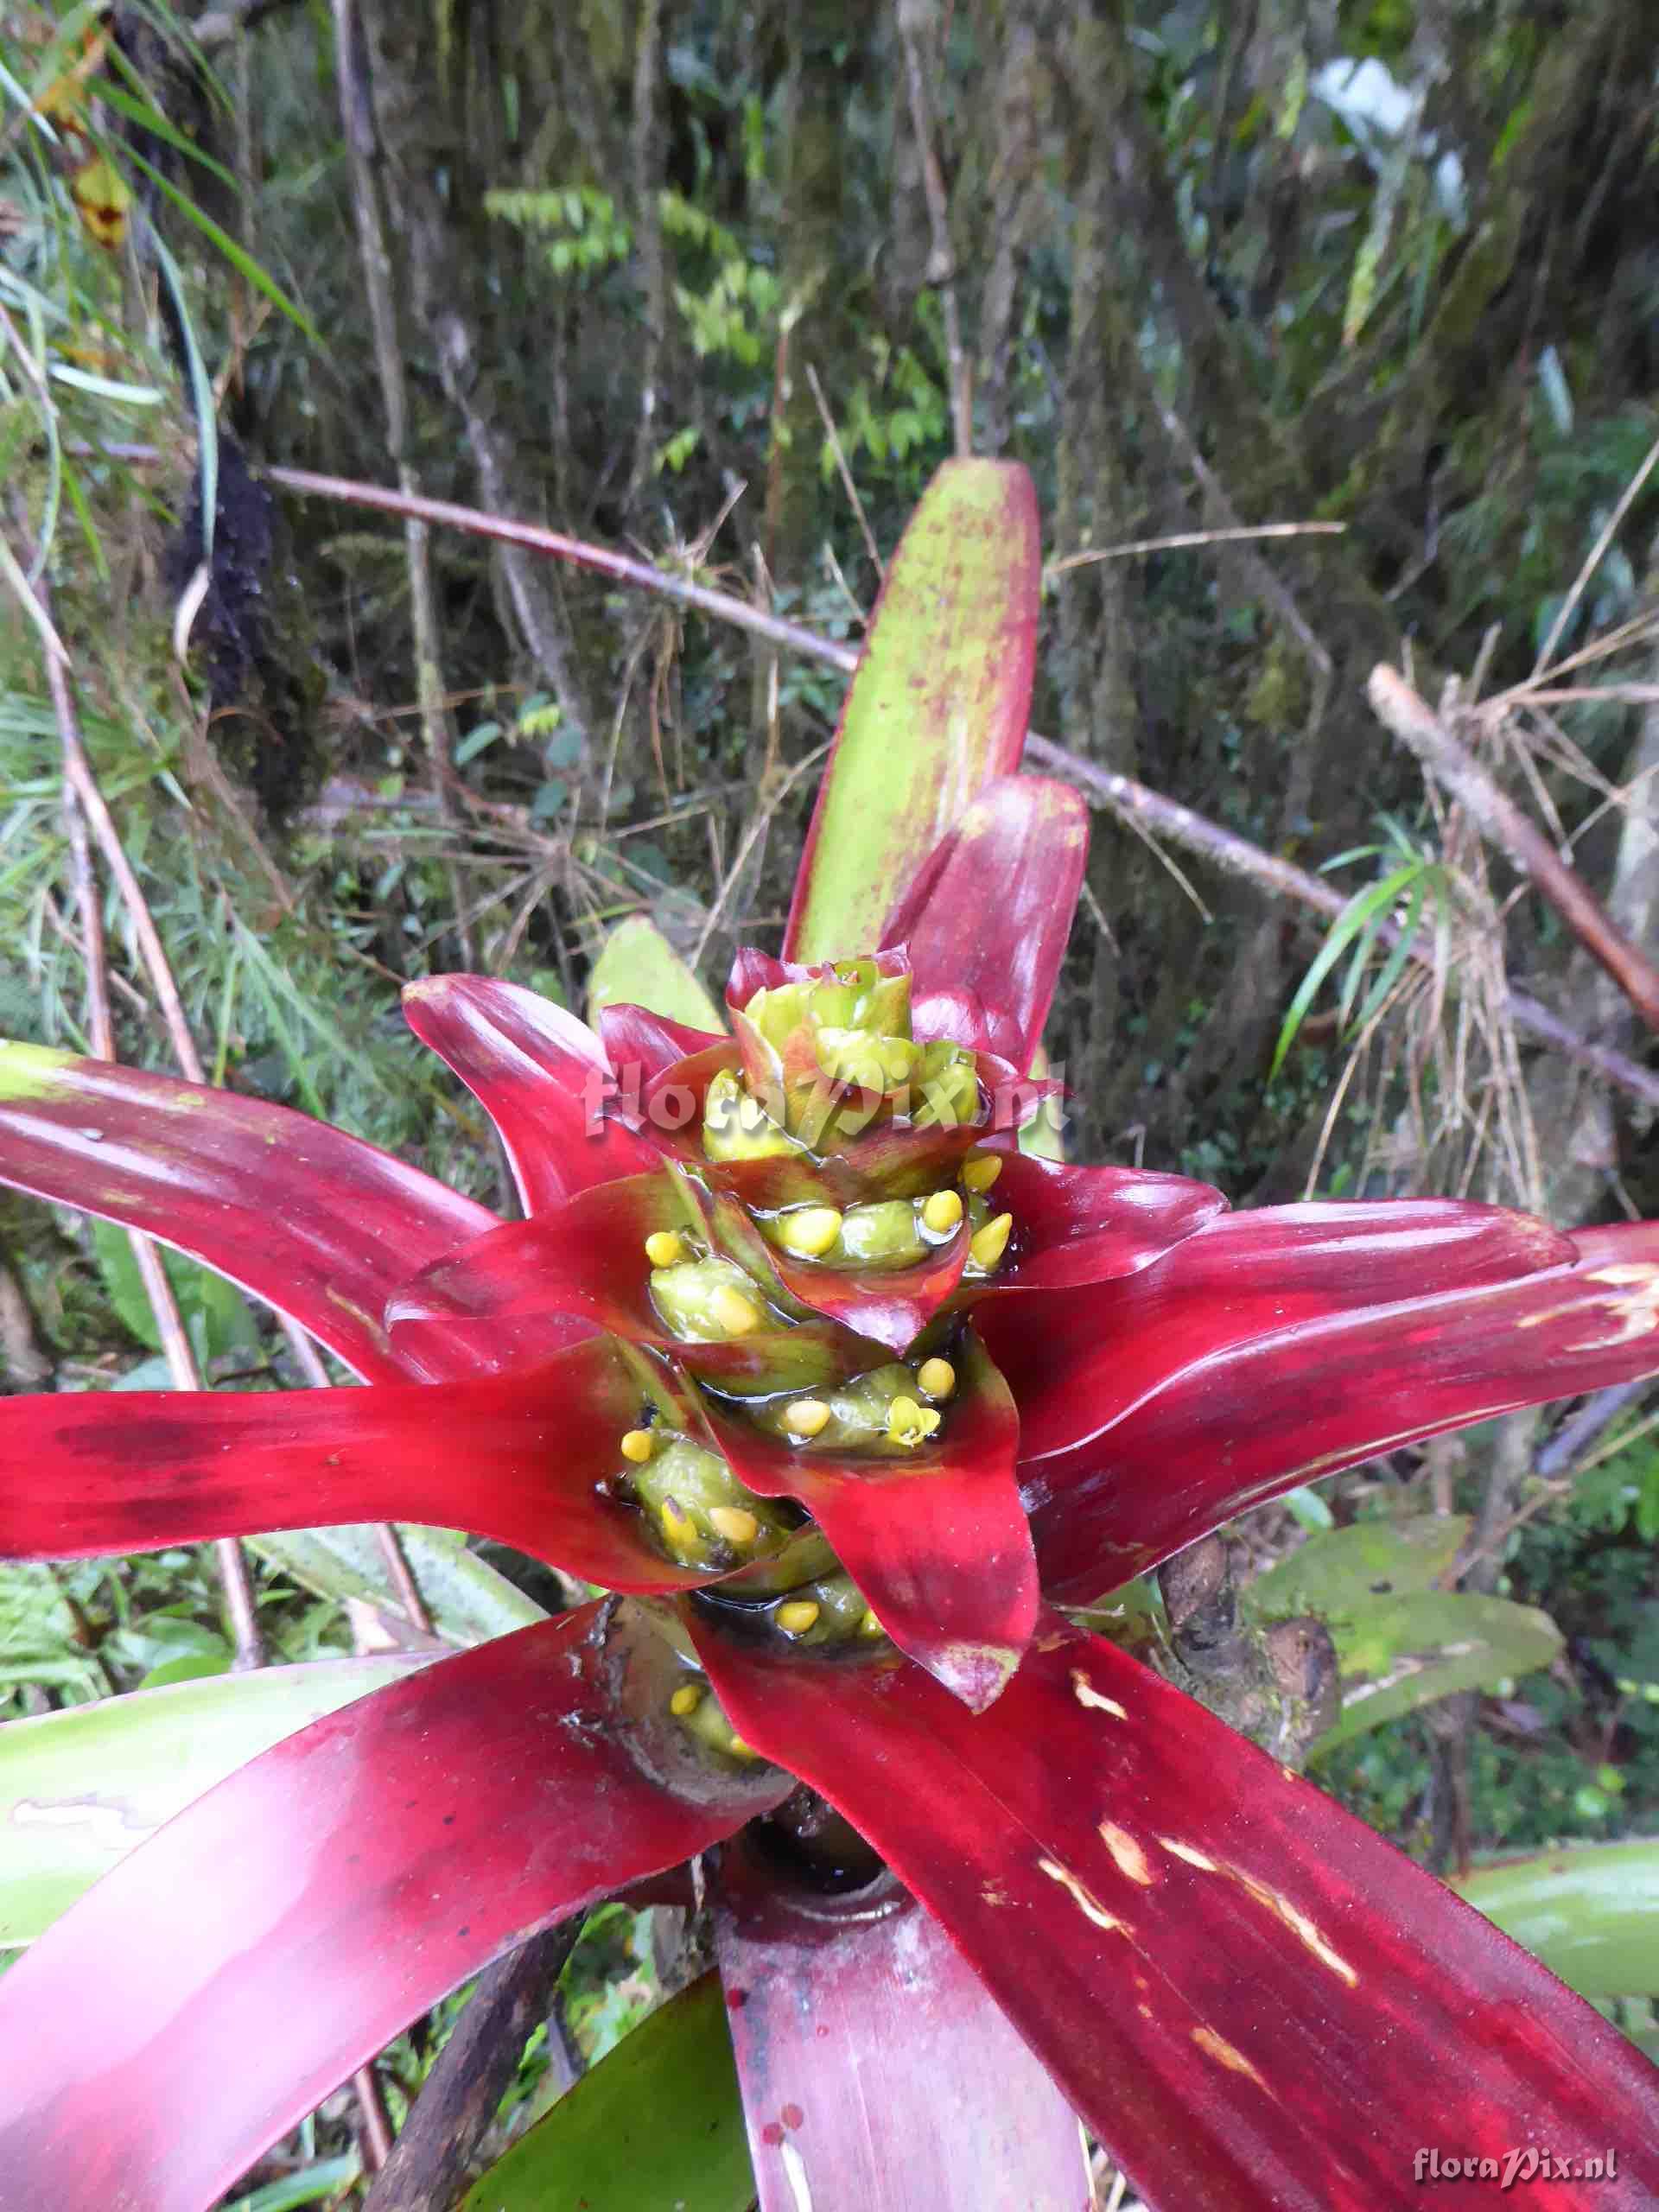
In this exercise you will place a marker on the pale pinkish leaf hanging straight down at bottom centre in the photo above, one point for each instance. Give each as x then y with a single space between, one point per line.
875 2069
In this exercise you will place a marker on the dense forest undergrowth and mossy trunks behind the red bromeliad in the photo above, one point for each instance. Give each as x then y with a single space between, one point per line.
727 284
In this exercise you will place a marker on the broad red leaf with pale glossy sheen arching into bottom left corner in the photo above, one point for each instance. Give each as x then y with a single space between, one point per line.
280 1932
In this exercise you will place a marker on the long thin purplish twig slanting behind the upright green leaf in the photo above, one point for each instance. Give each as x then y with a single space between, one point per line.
1123 795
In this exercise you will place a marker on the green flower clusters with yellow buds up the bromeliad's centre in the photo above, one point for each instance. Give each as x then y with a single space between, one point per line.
824 1058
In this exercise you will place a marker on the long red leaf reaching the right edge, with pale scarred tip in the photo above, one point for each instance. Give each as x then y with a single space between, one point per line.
1244 1406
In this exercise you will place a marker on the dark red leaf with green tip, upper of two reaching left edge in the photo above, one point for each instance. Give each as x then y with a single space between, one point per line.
320 1224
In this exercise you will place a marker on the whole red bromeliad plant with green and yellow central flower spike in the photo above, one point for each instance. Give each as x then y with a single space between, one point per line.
848 1399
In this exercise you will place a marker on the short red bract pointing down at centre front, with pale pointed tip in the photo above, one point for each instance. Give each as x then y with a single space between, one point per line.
937 1538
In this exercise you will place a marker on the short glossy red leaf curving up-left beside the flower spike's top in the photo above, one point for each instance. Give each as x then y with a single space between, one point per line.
541 1076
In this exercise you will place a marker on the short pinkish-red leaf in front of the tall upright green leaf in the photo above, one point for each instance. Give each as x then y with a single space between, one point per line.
990 910
